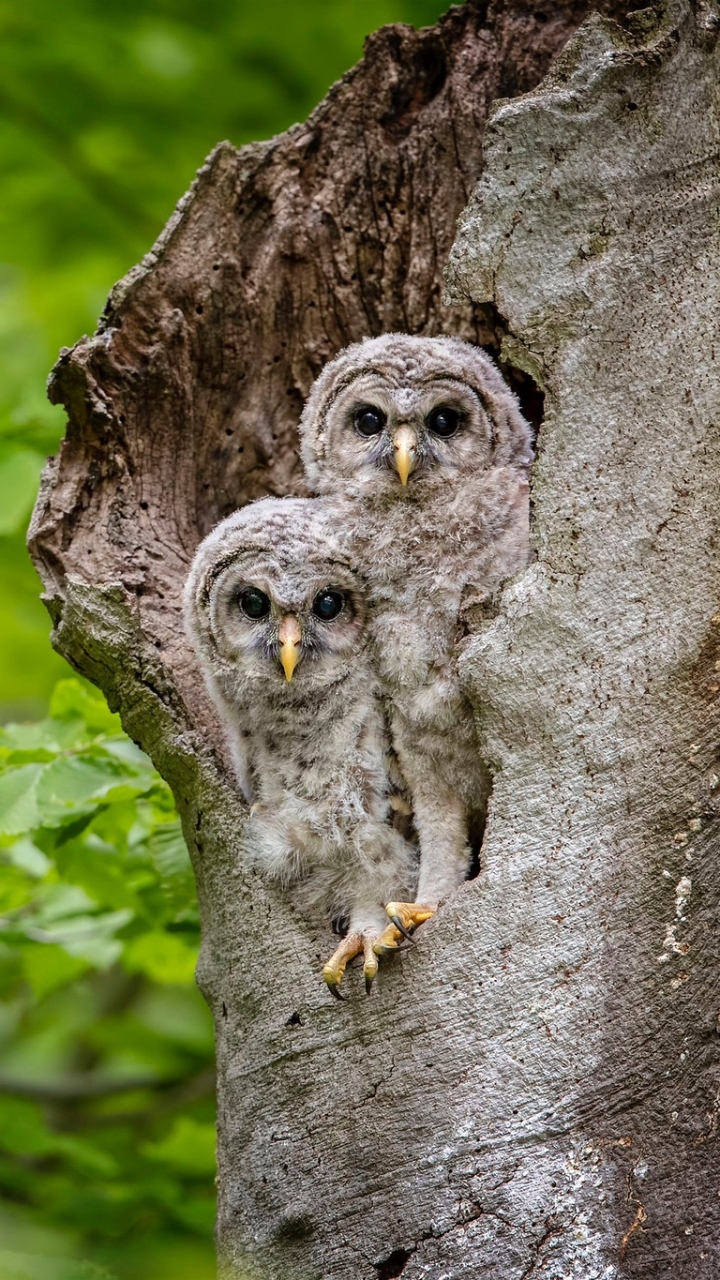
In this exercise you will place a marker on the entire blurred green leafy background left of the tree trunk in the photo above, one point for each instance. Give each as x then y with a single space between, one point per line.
107 1117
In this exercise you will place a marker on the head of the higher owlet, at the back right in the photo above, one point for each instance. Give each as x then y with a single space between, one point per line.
400 414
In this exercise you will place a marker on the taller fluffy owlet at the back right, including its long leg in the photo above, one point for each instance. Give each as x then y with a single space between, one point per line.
420 449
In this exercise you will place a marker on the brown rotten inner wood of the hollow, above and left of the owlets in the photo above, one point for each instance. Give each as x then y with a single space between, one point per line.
186 404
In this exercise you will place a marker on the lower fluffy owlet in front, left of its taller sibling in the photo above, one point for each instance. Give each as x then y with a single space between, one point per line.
279 620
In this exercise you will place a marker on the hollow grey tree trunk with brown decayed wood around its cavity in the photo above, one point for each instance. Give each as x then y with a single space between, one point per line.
535 1089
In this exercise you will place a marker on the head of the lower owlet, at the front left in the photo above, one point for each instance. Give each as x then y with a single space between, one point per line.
272 600
